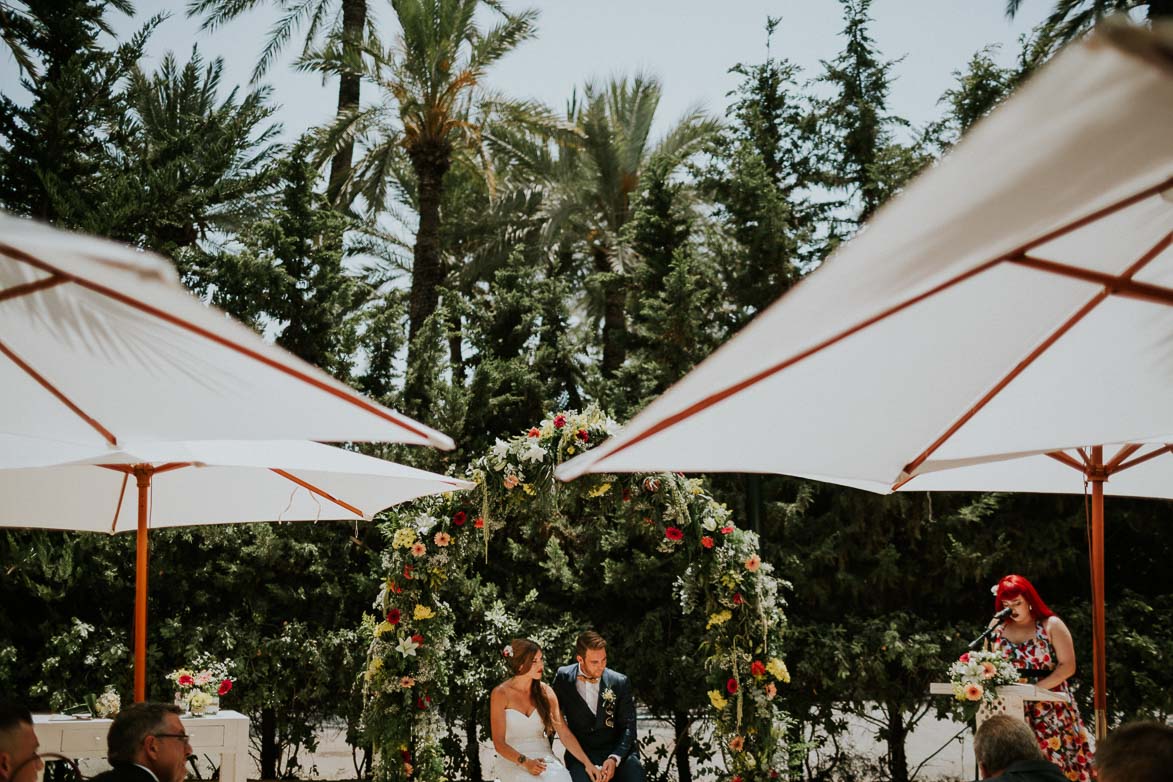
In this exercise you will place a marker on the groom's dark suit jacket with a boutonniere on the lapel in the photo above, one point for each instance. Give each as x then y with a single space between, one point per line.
612 729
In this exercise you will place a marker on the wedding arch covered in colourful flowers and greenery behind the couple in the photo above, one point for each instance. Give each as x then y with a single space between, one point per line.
419 656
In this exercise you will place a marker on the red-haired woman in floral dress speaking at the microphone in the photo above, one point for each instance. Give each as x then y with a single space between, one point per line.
1034 638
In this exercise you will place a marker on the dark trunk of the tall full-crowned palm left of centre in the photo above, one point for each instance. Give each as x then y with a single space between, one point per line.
431 162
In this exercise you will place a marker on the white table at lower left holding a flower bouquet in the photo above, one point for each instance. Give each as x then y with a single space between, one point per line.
227 733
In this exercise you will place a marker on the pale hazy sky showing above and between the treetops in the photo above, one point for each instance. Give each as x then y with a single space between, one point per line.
690 45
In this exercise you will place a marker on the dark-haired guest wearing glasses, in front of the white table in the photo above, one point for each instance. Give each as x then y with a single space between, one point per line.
147 744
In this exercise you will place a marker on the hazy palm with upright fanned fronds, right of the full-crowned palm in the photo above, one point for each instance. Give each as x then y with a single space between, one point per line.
594 196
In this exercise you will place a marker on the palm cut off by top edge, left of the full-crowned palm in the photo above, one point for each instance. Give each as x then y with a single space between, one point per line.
348 21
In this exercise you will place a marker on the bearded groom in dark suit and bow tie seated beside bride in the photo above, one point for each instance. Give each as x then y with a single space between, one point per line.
600 710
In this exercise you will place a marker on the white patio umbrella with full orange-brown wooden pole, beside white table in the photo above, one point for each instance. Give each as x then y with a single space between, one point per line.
205 482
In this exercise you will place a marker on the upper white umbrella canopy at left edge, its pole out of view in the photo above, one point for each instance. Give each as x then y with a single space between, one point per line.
100 344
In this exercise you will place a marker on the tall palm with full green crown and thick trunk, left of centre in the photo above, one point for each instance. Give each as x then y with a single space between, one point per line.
433 111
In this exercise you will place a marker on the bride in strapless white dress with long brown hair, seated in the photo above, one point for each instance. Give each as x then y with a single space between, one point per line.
524 717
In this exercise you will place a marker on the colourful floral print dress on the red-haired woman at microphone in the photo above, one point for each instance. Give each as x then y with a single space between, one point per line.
1059 729
